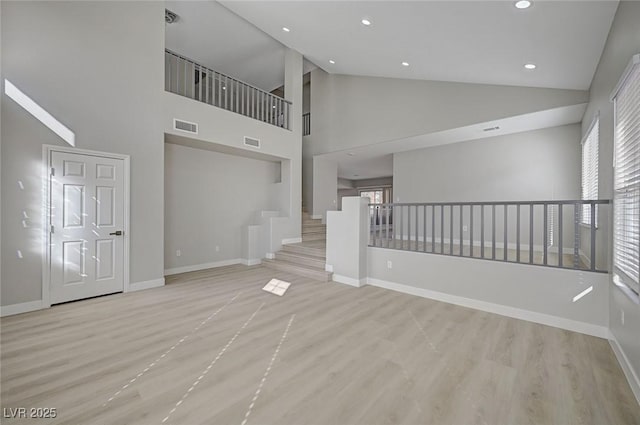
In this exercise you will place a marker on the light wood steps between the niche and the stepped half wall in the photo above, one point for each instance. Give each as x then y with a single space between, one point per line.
307 258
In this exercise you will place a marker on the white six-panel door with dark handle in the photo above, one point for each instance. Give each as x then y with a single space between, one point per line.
87 226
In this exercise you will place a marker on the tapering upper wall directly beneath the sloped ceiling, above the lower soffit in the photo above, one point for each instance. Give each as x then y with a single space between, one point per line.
352 111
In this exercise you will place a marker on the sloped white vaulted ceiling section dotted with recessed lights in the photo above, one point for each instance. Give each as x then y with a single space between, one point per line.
465 41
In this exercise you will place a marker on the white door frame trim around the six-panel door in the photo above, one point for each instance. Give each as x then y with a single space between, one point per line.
47 150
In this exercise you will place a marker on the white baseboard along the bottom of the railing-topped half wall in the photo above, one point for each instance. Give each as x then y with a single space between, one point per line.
516 313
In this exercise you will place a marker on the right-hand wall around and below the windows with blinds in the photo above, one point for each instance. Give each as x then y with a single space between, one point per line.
623 42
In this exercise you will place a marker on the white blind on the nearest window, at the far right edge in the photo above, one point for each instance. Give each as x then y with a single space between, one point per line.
626 198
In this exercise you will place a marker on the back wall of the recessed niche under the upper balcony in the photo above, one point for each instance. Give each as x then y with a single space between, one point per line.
210 198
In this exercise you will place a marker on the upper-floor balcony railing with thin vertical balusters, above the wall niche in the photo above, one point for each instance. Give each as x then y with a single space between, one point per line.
188 78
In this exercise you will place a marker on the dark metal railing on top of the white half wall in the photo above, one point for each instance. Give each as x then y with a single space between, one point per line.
546 233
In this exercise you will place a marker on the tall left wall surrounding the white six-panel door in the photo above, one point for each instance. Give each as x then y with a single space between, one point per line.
98 68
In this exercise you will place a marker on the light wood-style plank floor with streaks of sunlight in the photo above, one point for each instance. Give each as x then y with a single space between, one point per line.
212 348
